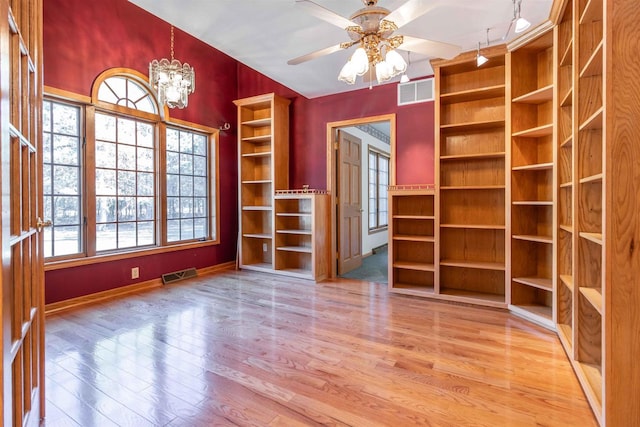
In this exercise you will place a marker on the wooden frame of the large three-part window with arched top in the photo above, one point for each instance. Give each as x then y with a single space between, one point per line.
88 108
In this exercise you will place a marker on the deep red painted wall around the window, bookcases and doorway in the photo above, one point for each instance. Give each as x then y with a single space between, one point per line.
84 38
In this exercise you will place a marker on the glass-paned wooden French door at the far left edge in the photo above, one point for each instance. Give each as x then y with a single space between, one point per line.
21 177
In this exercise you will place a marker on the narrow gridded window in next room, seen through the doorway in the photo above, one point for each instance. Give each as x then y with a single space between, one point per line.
378 183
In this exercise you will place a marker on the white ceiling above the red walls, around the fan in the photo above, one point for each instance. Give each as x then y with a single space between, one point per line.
265 34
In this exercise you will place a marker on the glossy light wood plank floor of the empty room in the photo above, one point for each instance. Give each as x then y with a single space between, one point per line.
241 348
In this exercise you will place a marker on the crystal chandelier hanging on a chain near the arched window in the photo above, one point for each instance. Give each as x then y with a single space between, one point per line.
172 80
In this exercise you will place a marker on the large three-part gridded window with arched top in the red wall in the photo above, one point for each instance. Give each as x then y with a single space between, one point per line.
137 183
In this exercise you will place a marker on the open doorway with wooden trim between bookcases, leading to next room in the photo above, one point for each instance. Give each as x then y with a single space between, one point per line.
372 241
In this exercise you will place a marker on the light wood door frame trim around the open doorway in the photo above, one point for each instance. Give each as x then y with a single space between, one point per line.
332 181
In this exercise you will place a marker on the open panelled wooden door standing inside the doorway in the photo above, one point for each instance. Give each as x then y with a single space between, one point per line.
349 202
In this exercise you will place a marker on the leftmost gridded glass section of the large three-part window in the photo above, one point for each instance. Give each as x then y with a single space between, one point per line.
62 174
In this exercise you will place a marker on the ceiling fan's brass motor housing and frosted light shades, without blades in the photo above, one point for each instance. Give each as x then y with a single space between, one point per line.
376 48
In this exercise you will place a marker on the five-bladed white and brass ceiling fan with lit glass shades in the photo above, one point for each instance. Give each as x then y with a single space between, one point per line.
372 28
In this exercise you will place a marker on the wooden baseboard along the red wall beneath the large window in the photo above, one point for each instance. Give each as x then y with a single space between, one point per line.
59 306
